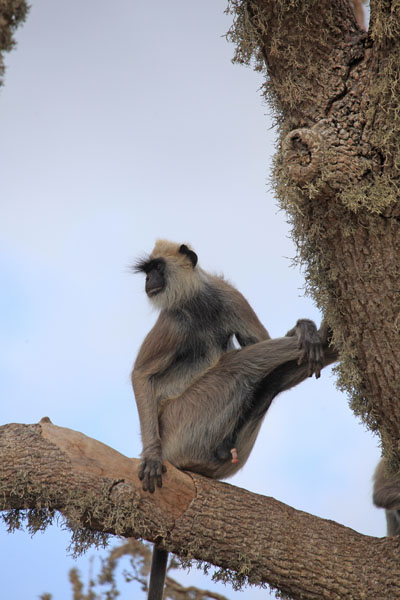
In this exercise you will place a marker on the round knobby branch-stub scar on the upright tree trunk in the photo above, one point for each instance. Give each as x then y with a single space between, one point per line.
302 155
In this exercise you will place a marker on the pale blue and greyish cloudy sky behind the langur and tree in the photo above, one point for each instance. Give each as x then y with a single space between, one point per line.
122 122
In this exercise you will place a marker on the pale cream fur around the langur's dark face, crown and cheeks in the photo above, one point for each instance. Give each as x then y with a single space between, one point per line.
181 278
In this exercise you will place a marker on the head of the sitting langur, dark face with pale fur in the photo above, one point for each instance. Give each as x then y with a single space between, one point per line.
172 275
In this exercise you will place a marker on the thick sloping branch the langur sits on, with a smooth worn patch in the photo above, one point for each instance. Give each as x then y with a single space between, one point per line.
263 540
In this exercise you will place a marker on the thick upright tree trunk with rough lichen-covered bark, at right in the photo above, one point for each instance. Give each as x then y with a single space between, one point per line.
335 91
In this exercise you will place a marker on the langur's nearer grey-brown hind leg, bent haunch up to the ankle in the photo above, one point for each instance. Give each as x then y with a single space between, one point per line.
194 425
